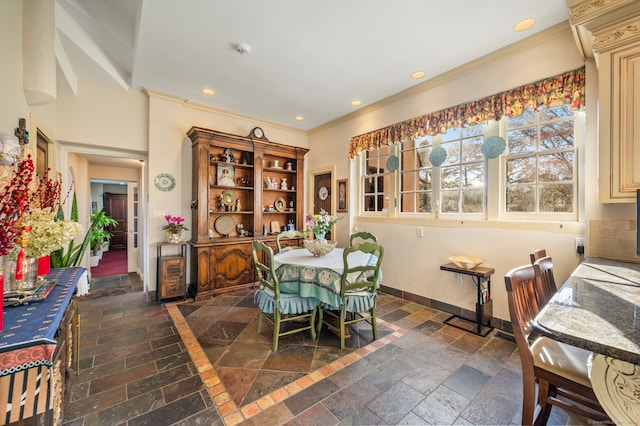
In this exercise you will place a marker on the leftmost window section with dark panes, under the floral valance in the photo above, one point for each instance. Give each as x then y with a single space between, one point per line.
376 182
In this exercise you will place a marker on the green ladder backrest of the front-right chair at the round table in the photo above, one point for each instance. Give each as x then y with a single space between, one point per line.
362 277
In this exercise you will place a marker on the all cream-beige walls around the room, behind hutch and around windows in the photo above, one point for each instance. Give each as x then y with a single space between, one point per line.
153 126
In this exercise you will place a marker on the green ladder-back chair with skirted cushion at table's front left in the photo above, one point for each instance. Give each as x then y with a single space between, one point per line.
280 308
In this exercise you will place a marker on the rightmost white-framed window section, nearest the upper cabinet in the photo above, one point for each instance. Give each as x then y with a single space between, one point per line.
540 162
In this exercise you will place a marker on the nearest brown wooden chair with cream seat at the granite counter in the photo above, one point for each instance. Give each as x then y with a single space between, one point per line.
559 369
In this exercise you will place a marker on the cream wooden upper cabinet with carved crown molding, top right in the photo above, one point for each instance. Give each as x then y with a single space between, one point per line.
609 31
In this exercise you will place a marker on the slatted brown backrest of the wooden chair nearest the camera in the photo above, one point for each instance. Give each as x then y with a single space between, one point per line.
523 307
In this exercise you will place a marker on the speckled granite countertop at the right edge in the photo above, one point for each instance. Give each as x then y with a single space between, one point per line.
598 309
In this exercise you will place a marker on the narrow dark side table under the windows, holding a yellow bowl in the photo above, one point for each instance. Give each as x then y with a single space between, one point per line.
484 303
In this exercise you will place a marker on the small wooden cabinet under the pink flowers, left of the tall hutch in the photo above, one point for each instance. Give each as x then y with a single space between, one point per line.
171 274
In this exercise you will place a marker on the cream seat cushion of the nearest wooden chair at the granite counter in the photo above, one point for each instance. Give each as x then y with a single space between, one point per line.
561 359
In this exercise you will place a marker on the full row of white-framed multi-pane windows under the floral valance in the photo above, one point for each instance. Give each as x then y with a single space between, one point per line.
538 171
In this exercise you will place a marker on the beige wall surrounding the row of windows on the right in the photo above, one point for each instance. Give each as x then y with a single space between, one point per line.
411 263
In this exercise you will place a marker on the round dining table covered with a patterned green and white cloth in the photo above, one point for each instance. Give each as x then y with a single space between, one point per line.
301 272
